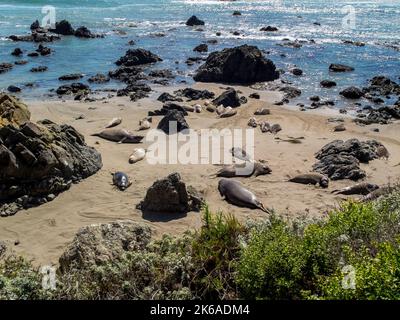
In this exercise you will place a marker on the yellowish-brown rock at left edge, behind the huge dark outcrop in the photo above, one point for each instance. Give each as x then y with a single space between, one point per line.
12 111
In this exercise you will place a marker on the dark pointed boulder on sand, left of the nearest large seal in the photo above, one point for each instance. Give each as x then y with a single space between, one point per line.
171 195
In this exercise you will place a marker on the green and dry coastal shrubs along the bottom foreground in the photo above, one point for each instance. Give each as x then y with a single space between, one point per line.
354 253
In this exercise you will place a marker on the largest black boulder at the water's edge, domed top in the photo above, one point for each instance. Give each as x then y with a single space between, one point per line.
241 65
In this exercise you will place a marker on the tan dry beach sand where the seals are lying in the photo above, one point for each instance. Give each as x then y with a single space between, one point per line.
43 232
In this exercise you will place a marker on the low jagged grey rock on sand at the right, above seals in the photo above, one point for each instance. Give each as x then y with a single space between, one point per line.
341 159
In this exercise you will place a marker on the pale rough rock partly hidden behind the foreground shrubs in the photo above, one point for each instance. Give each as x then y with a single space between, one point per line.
98 244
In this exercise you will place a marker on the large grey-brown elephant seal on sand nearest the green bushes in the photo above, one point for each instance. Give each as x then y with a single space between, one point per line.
235 193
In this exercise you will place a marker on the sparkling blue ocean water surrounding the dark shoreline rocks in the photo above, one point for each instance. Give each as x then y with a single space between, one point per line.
377 23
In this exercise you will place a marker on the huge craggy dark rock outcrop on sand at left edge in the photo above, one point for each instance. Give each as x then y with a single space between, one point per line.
39 160
